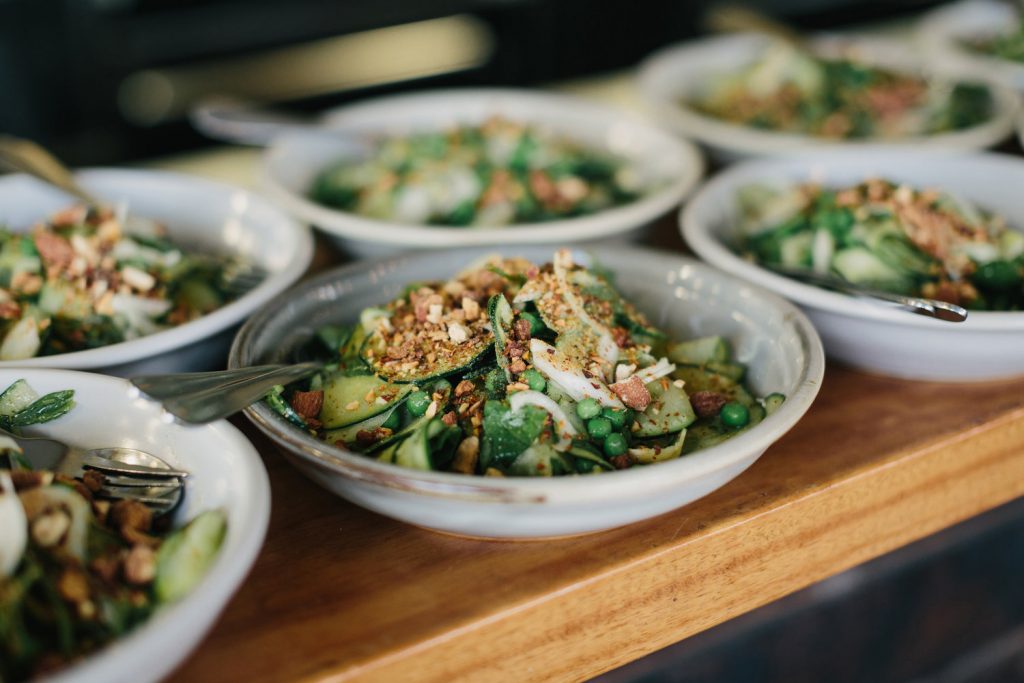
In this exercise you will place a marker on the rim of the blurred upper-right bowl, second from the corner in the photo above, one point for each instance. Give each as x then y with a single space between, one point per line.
741 140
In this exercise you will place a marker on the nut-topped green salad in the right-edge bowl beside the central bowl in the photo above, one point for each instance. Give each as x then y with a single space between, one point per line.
921 242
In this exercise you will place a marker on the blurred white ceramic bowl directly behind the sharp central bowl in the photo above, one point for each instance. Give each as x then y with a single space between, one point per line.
292 163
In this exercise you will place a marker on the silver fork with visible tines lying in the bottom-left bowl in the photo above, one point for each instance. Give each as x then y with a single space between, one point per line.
129 474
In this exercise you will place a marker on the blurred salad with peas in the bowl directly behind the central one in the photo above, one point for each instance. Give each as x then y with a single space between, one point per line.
497 174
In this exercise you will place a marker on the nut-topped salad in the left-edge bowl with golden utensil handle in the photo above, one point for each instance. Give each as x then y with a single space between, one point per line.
79 281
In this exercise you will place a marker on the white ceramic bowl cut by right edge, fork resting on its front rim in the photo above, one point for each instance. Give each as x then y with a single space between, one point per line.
868 335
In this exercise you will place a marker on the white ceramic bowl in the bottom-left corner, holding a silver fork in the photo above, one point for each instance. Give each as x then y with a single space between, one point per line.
226 473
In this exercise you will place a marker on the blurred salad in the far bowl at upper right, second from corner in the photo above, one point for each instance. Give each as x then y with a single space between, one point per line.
795 92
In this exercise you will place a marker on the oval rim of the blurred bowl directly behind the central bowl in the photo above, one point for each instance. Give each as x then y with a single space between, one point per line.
621 220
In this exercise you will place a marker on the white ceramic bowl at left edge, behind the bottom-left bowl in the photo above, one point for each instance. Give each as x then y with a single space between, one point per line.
198 214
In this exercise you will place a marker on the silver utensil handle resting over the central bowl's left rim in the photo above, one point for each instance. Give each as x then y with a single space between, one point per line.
202 398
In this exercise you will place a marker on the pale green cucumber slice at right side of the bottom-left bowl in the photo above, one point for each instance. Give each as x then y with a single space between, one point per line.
187 554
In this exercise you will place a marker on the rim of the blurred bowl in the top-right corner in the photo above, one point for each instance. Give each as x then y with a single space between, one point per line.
937 31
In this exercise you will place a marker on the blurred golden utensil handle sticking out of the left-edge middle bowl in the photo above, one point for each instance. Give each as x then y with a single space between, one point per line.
25 156
